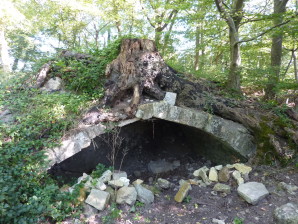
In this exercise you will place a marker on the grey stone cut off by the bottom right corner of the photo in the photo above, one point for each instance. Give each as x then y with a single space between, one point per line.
286 214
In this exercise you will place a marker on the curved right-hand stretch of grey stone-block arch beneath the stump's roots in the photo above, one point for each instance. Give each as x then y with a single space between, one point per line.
231 133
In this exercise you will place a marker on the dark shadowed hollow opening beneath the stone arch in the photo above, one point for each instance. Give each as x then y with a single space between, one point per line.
147 141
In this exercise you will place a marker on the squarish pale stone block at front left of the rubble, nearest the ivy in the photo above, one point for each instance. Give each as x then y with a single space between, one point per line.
98 199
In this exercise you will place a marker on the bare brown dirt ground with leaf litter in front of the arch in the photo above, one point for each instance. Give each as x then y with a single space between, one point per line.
203 204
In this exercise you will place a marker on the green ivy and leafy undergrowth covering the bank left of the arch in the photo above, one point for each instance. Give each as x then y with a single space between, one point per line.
27 193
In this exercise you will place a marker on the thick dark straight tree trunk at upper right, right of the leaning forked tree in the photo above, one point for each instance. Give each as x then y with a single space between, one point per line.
276 50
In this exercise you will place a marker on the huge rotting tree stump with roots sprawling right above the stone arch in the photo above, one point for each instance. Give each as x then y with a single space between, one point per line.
140 71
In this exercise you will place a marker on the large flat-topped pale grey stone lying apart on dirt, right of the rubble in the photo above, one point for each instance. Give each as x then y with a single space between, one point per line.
252 192
